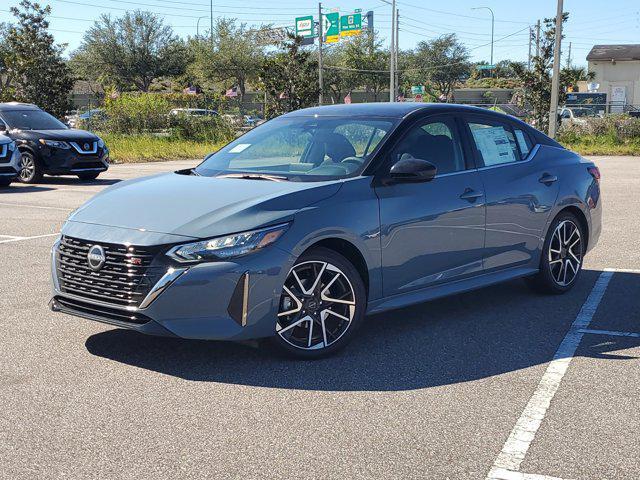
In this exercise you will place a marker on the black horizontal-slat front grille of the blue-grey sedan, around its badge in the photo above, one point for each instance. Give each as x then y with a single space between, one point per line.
124 280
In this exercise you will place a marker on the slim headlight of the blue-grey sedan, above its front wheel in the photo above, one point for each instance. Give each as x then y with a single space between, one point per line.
227 247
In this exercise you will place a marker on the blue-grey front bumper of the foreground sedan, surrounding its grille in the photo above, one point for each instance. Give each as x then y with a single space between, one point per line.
226 300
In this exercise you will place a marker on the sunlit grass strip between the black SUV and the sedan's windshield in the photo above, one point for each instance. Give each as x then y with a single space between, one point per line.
149 148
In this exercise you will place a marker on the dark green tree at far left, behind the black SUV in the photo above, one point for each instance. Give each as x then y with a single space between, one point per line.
32 63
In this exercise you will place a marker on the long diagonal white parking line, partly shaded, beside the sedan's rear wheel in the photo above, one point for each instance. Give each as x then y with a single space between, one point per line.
519 441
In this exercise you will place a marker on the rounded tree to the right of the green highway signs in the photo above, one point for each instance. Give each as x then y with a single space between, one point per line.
443 62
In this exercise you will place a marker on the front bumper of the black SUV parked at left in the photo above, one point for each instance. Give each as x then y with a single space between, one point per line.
59 161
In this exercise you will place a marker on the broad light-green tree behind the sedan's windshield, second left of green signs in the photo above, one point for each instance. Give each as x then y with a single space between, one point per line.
232 54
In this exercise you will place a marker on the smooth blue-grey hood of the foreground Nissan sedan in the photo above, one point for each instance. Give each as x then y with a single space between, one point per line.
200 207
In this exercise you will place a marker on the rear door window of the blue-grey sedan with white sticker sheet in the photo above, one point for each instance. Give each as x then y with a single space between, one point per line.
495 143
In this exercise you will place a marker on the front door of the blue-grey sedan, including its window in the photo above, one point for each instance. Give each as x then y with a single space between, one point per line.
432 232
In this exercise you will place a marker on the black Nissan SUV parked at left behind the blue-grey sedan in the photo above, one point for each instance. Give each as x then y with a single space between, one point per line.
48 146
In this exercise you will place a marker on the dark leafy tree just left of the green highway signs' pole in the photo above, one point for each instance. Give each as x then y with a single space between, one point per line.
290 78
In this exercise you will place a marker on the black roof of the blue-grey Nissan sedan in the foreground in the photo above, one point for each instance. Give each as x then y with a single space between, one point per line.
384 109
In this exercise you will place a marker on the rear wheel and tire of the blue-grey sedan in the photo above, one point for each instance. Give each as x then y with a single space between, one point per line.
562 256
